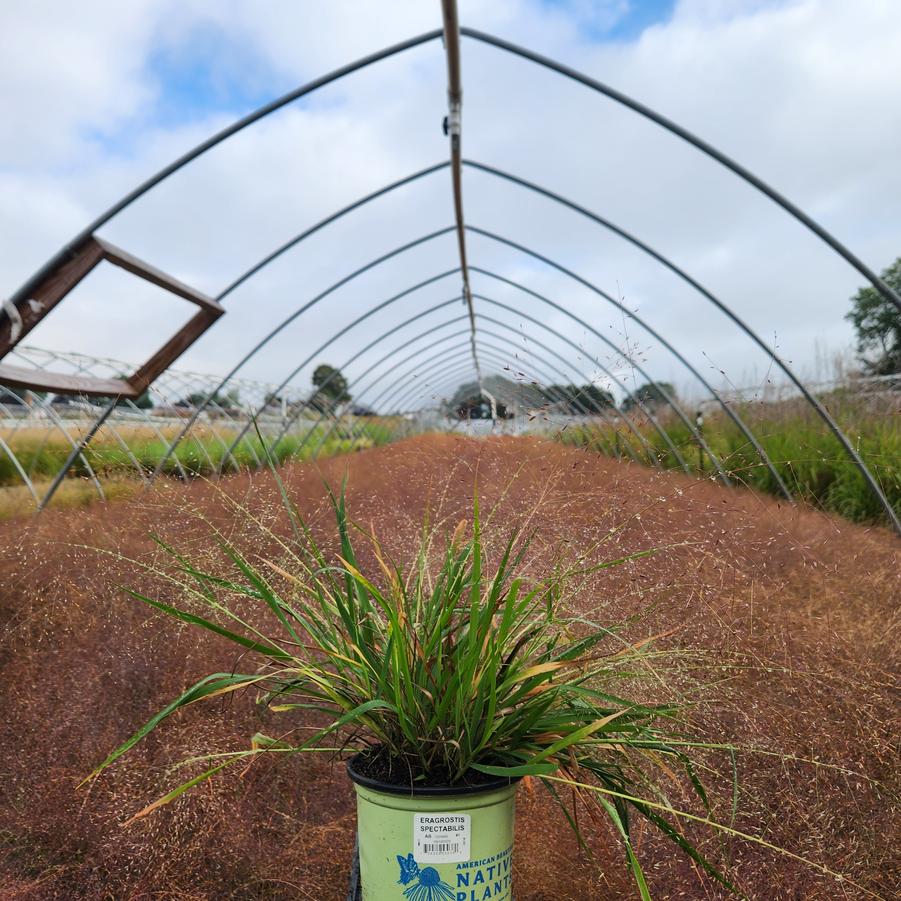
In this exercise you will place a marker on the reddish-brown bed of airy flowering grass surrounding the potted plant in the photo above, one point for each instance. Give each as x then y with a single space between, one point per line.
784 621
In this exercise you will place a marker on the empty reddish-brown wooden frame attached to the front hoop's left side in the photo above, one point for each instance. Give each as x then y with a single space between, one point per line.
54 287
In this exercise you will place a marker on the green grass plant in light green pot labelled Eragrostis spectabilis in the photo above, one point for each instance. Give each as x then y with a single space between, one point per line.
450 679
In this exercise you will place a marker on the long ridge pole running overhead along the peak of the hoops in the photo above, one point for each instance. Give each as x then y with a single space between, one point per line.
453 128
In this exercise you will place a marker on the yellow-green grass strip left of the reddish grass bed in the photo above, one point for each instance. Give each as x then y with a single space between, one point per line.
41 452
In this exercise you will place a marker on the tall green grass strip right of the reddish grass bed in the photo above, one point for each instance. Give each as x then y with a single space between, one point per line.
809 459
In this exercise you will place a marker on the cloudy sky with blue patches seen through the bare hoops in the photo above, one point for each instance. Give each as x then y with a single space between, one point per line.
99 95
